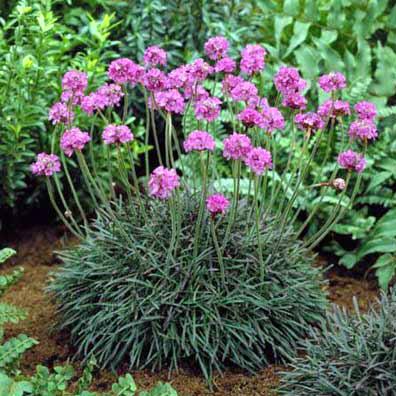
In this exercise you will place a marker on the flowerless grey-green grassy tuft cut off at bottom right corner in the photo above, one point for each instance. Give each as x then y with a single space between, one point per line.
351 355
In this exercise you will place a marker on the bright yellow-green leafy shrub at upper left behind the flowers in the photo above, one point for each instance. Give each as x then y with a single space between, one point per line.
36 47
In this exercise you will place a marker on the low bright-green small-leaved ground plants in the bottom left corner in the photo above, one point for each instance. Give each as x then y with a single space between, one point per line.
61 380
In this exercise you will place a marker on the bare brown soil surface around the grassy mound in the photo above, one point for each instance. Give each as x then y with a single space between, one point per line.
36 246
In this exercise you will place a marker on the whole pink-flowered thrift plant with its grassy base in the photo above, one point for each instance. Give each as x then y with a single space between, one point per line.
180 263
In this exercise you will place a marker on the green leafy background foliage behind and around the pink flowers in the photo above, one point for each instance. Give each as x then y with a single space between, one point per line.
40 39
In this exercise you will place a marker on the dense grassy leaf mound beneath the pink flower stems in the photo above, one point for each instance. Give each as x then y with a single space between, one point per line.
124 297
